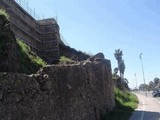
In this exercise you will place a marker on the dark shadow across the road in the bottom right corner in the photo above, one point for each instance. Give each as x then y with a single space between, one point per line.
147 115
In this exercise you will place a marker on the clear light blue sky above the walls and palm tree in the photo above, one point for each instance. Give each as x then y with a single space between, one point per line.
105 25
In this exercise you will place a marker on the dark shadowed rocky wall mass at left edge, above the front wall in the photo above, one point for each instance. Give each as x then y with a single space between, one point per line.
9 59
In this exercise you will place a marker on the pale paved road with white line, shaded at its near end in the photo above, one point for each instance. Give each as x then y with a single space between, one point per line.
148 108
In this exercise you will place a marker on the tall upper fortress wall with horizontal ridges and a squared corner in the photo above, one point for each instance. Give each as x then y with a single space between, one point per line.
41 35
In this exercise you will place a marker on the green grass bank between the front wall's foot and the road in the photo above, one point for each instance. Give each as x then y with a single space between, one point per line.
126 102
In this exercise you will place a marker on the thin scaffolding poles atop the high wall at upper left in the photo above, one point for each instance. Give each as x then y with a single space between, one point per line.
25 6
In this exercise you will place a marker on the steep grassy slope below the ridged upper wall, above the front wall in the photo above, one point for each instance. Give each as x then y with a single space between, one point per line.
29 61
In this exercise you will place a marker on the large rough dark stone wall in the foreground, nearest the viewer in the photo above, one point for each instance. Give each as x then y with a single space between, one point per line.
82 91
